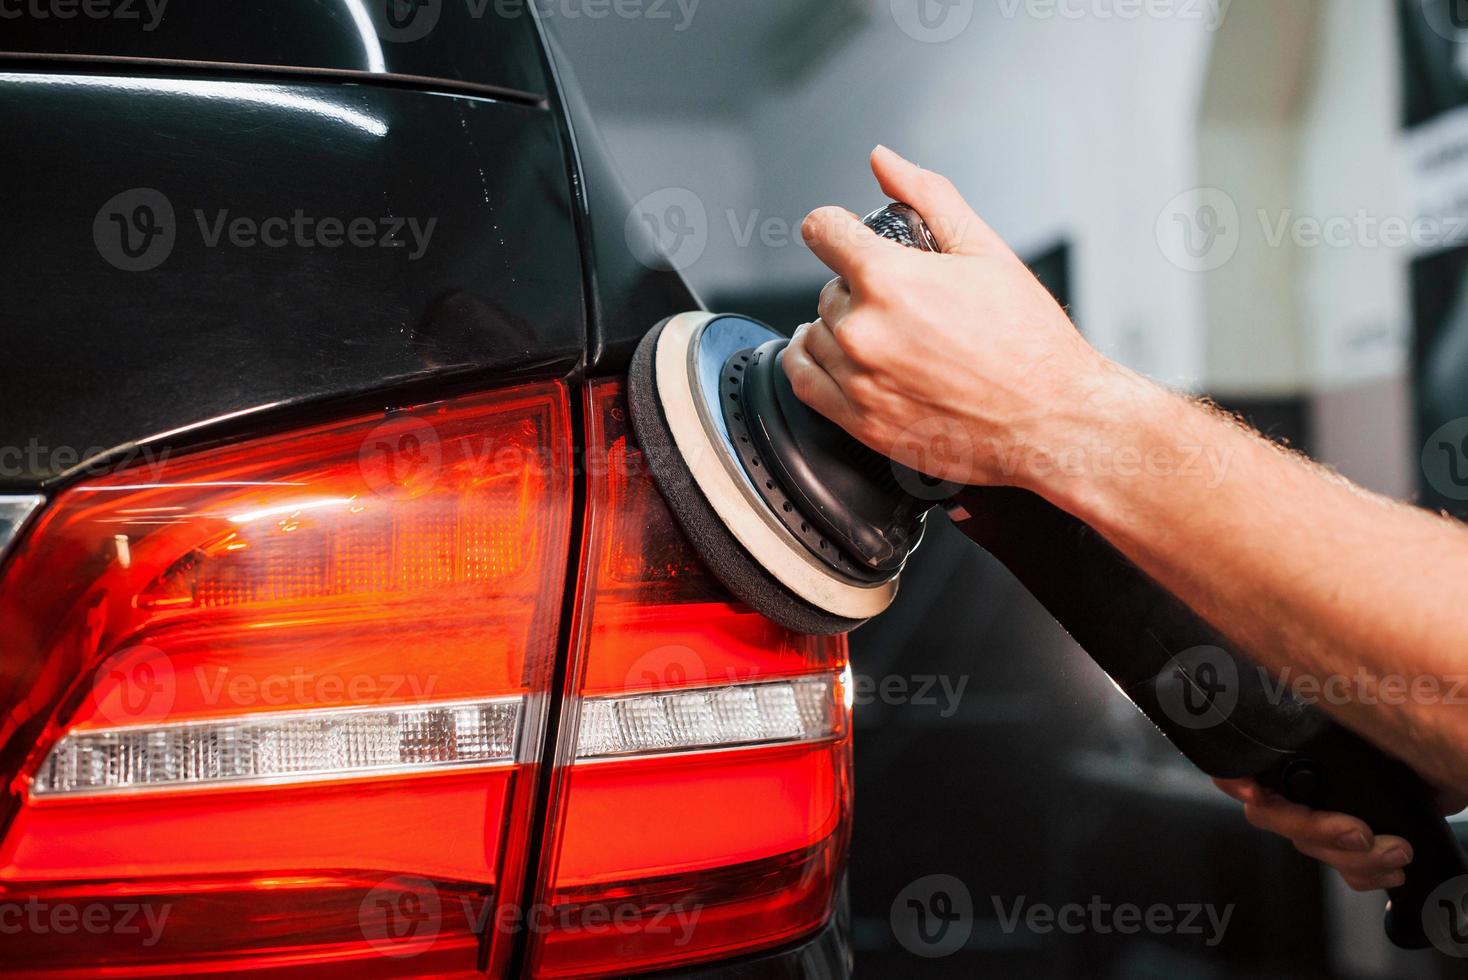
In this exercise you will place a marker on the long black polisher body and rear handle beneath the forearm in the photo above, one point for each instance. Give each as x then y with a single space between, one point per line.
1222 711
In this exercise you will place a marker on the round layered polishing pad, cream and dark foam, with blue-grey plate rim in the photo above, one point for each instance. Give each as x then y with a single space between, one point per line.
673 379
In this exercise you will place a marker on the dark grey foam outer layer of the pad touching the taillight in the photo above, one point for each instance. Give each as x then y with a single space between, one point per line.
711 539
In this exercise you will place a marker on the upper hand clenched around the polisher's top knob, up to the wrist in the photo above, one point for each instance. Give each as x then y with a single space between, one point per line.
958 365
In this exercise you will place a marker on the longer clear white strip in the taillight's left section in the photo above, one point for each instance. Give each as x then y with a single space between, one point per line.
284 747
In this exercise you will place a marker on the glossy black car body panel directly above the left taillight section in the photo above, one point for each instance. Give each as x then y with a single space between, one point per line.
96 356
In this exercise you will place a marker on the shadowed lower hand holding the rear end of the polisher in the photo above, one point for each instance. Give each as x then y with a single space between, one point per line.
1365 860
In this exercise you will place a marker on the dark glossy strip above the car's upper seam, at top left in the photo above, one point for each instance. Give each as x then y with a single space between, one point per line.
484 43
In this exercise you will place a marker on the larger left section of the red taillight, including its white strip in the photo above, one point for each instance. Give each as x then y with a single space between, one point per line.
290 692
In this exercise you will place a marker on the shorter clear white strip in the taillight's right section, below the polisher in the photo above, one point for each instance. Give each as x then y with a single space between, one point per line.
713 718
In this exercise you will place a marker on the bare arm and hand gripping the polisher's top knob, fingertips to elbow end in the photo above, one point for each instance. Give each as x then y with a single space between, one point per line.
1310 576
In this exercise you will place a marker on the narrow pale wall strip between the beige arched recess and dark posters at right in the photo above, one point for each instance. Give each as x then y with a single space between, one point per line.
1354 301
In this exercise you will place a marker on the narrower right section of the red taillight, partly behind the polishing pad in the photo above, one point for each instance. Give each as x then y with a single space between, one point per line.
704 793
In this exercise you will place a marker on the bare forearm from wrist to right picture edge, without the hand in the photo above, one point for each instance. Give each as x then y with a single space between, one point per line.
1354 599
